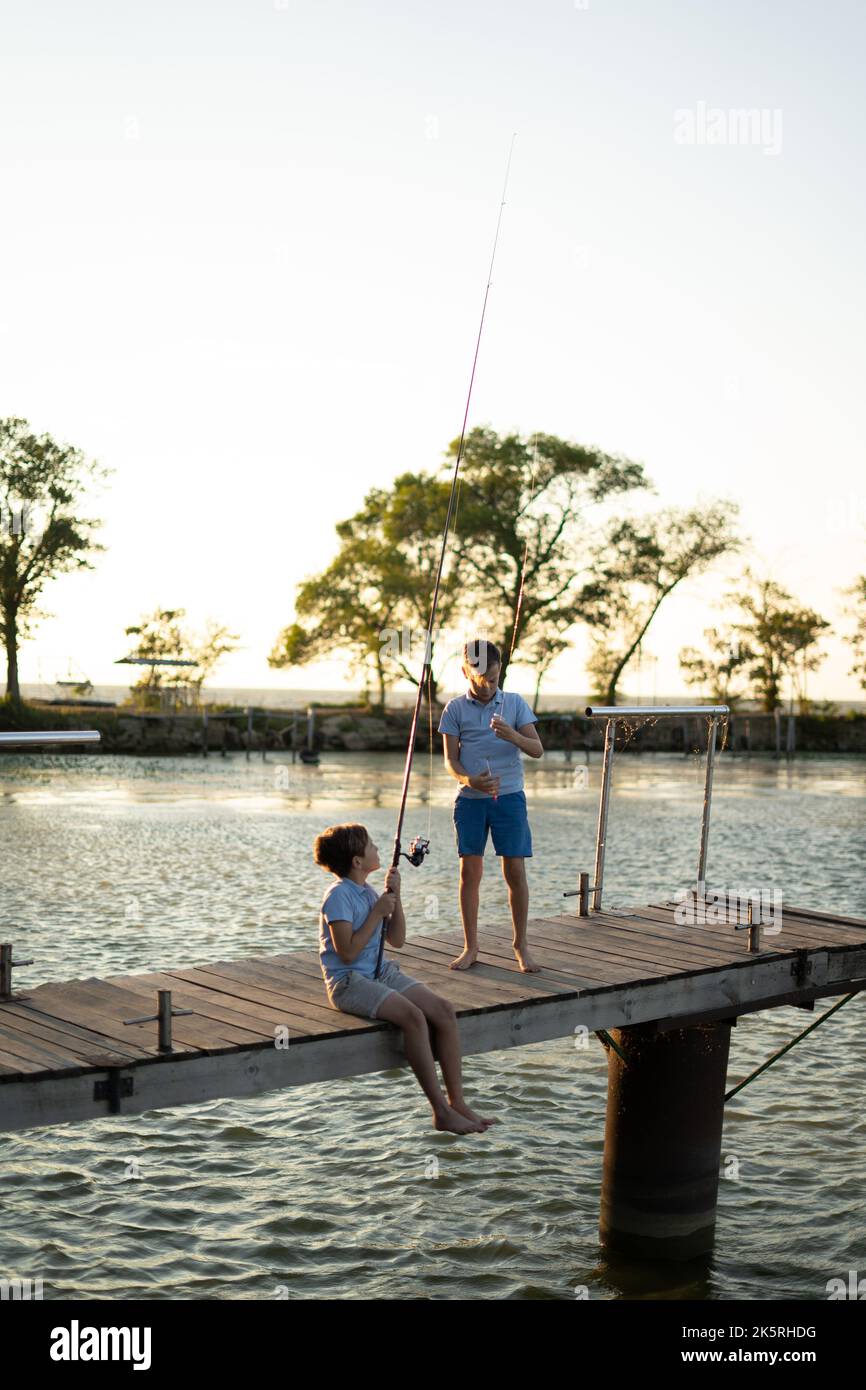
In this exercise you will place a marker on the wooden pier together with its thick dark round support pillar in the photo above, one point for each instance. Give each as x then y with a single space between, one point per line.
661 996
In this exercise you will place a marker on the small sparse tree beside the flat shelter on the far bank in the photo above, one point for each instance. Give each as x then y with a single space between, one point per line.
163 639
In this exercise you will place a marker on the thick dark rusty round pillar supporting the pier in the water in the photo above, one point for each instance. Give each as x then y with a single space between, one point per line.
664 1140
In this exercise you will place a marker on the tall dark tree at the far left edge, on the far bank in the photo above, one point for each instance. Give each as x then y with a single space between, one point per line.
42 536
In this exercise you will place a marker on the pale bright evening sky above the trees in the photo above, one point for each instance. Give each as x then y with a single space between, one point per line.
244 250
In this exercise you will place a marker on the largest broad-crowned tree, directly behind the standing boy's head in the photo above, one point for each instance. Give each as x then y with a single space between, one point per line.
518 497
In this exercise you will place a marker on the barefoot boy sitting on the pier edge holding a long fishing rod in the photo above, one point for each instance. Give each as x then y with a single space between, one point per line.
351 925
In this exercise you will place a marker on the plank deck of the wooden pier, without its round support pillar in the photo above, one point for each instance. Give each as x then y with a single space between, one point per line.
258 1025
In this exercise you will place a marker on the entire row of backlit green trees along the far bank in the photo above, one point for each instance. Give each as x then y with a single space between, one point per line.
546 541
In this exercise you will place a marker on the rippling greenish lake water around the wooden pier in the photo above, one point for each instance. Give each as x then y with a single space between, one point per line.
117 865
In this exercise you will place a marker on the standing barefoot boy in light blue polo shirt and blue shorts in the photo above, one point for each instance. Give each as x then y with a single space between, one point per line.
486 732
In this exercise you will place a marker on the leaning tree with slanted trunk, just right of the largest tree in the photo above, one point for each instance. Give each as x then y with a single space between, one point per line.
636 566
